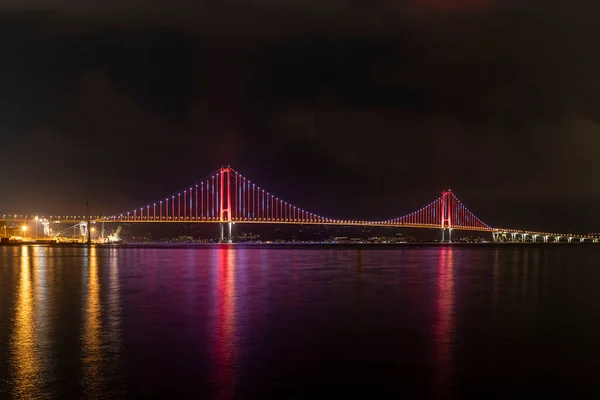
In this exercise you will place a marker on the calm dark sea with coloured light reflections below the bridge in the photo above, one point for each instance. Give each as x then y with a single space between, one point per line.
279 322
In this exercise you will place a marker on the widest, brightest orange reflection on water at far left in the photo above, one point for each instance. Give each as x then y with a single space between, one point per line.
25 367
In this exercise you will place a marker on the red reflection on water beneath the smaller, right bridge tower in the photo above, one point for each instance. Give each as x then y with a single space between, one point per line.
444 324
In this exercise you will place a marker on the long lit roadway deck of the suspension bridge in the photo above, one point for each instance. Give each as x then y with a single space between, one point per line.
498 234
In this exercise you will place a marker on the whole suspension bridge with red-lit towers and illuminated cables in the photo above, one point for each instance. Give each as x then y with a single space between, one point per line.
226 197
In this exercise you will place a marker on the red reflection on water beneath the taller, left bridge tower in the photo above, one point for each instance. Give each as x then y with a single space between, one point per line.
225 346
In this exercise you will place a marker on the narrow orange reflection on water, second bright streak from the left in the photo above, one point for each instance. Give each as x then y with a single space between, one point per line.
91 351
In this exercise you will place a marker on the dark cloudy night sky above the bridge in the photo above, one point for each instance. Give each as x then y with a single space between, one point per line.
350 109
